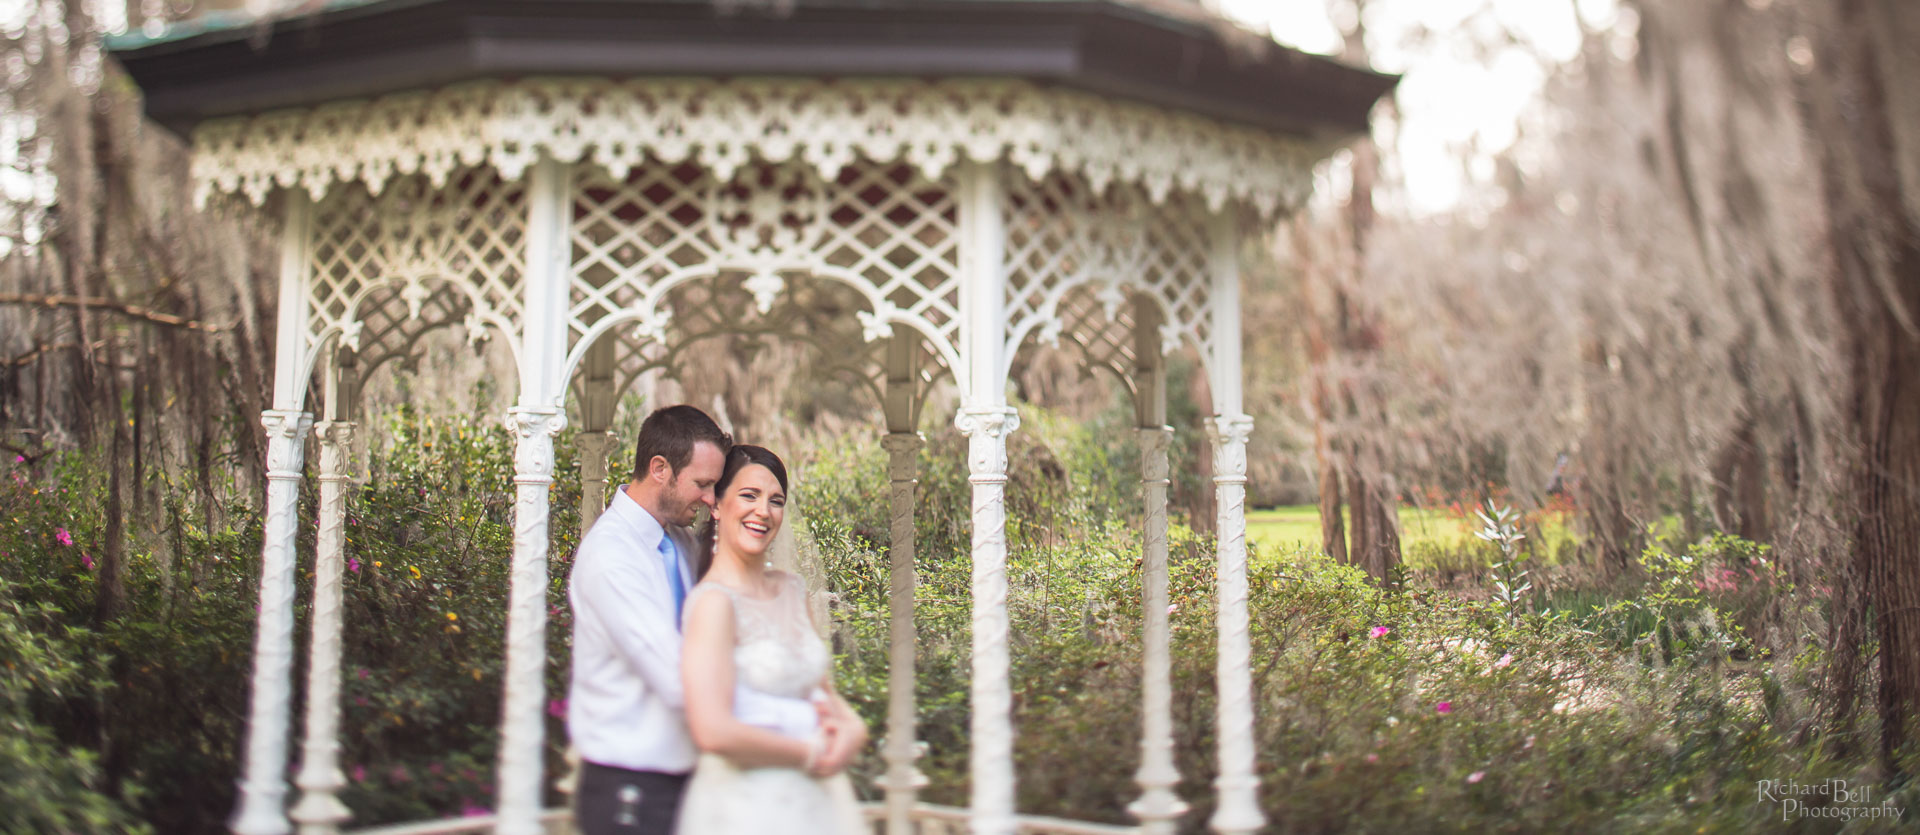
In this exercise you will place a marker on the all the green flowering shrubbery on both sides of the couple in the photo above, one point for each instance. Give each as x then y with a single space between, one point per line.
1376 705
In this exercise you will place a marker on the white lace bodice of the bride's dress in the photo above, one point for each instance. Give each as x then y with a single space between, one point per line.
777 650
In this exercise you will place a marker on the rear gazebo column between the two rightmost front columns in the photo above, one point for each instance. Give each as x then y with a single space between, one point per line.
1159 805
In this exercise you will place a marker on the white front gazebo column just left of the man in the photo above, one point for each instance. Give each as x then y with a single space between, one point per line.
537 421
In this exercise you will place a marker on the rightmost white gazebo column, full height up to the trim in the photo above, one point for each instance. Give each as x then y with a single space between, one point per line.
1239 782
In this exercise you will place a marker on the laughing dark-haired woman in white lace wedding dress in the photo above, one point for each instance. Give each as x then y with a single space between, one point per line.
748 631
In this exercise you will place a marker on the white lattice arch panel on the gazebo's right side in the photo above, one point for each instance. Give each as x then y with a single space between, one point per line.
1074 256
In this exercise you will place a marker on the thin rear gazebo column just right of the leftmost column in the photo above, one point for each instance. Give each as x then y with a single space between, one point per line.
320 811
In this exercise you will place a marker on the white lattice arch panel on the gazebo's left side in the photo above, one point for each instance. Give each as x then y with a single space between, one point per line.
381 264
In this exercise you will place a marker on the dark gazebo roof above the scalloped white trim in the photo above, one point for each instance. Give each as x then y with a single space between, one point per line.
1153 53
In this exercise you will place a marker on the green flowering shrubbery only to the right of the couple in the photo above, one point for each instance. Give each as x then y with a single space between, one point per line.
1376 707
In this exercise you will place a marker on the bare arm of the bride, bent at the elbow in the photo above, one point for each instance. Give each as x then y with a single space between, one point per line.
708 671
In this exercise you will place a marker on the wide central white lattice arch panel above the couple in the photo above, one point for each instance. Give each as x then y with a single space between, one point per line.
882 233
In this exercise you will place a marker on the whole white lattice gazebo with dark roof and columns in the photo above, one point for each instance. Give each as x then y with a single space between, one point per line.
923 187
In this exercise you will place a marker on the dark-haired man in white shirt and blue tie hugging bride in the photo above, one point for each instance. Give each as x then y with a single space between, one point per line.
631 581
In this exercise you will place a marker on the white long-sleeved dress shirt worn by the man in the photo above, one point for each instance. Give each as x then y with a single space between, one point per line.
627 705
